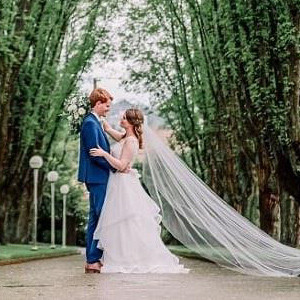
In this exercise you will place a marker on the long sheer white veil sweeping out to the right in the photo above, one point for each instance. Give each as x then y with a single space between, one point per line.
205 223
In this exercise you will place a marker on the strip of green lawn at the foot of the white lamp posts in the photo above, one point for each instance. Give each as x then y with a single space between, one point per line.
15 253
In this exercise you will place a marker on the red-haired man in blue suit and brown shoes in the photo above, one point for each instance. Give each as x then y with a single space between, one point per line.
94 171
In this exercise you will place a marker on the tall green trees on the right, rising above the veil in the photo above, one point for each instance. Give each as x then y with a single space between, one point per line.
225 74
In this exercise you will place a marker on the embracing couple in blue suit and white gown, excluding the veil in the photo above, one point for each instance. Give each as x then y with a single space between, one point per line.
123 233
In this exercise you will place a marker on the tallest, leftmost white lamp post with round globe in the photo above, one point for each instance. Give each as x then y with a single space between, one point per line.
35 163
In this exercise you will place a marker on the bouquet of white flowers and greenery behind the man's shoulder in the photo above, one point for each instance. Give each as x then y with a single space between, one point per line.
75 108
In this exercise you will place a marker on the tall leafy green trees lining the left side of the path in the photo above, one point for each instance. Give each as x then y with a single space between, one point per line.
44 48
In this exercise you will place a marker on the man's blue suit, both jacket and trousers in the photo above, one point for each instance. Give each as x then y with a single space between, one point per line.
94 172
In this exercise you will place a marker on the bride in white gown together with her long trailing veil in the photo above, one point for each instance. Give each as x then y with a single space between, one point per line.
128 229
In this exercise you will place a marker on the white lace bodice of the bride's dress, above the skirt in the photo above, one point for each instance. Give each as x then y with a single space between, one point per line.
127 148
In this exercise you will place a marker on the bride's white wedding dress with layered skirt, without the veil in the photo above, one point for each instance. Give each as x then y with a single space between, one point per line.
128 229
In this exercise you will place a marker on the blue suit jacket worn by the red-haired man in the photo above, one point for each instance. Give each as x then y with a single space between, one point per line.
93 169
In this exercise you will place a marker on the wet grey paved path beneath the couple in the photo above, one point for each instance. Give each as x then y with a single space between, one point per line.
63 278
